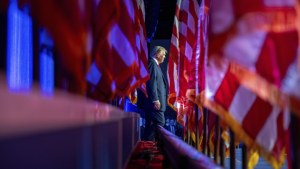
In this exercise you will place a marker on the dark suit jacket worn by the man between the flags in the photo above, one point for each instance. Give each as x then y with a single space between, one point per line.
156 85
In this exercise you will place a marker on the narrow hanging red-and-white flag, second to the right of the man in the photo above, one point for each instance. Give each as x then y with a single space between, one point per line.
196 68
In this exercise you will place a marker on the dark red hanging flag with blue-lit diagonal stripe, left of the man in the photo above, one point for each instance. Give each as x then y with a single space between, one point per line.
115 54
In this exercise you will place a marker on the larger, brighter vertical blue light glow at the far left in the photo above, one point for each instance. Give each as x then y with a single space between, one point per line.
19 49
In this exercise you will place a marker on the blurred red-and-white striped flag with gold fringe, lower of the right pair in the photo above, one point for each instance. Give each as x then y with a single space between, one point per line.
260 125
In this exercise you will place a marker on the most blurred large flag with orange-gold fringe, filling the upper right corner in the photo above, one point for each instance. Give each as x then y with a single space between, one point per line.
263 32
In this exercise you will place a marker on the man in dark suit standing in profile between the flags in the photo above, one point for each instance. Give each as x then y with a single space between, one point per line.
157 93
